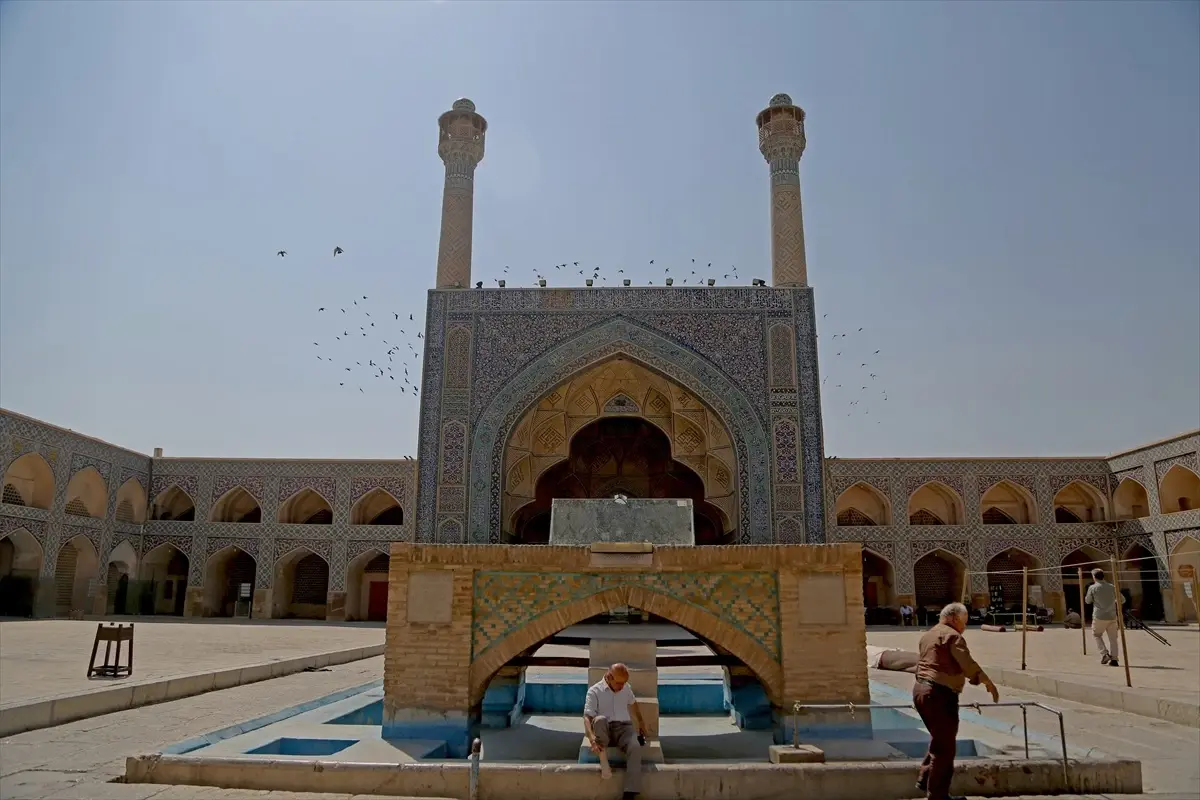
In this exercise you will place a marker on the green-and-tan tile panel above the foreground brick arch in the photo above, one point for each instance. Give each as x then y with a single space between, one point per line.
507 601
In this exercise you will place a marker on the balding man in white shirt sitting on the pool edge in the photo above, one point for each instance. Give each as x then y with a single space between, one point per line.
609 714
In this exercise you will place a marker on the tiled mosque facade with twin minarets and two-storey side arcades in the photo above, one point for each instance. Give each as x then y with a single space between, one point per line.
531 395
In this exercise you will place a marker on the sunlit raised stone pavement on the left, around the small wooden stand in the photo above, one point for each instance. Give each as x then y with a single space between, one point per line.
44 659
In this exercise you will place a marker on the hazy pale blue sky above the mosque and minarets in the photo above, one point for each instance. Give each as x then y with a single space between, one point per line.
1005 196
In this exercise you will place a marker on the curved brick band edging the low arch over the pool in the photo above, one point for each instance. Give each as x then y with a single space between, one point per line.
705 625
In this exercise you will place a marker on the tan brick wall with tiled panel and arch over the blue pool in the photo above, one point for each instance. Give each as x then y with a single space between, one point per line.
794 613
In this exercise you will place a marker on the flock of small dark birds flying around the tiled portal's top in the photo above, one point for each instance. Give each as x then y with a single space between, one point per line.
395 360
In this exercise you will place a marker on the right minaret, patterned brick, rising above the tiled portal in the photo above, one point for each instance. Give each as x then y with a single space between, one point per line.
782 143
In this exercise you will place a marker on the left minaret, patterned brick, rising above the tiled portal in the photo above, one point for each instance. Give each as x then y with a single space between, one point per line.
461 134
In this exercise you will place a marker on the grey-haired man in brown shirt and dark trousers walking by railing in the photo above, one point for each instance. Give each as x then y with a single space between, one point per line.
944 667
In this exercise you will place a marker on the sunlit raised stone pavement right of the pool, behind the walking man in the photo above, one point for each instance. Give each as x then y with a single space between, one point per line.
1157 671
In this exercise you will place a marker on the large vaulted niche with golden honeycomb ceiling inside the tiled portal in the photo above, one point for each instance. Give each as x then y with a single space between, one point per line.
620 428
